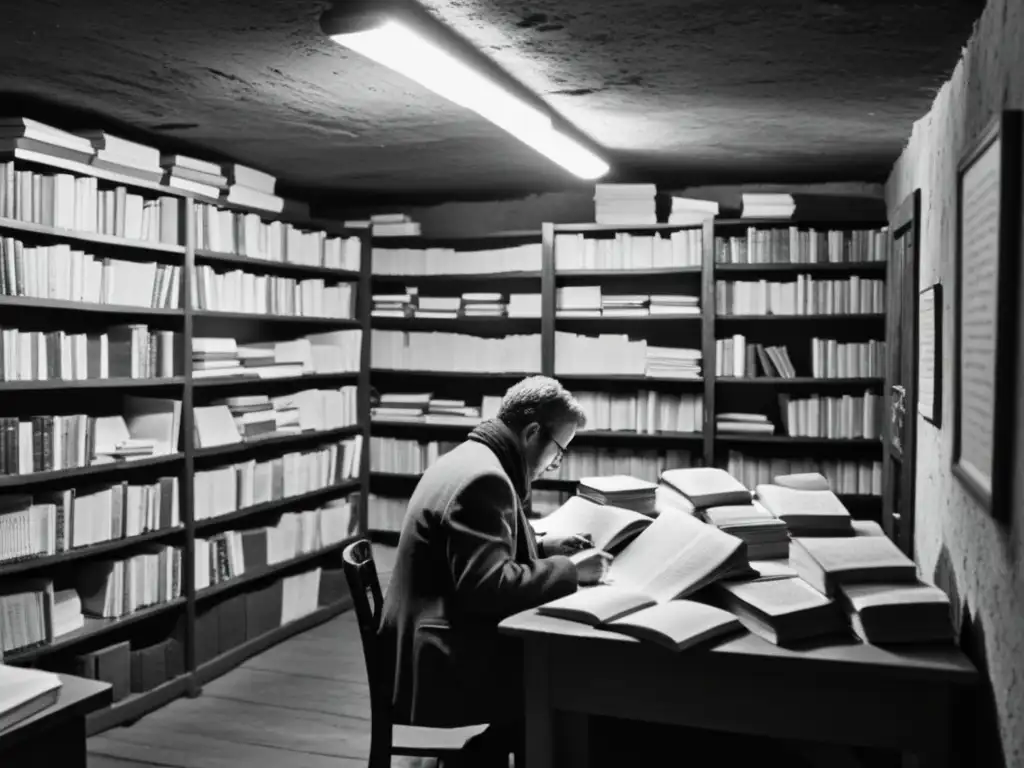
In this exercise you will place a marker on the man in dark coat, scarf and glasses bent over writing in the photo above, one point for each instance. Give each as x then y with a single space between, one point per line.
468 559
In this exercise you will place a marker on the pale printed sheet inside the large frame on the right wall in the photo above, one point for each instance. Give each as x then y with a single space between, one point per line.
979 277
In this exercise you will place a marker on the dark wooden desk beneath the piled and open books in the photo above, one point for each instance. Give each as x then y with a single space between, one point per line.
854 695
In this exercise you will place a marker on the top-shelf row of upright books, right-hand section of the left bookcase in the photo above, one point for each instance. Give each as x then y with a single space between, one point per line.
248 235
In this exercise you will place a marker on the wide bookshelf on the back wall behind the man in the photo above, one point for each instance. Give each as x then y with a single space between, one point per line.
836 306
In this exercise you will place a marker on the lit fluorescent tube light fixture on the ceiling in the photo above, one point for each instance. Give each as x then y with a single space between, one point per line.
400 48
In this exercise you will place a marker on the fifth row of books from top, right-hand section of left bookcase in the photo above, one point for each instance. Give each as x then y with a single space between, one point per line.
232 488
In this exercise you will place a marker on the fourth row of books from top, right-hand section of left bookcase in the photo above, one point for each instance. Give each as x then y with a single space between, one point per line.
254 417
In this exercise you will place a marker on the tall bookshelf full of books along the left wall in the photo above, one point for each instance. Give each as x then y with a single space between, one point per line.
67 338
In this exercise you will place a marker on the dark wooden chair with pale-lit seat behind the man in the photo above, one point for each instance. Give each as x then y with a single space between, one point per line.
387 739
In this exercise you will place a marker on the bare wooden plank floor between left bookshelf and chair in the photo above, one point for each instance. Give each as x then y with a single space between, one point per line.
304 704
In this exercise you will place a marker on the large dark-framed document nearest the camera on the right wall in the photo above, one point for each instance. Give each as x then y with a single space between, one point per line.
989 247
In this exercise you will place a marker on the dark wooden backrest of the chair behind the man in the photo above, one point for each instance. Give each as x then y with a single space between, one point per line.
365 586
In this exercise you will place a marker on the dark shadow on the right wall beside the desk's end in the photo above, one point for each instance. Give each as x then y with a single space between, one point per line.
977 742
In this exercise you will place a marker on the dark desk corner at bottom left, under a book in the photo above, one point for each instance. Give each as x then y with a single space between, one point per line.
58 734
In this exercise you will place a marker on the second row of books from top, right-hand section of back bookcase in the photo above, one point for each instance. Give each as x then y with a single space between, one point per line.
806 295
